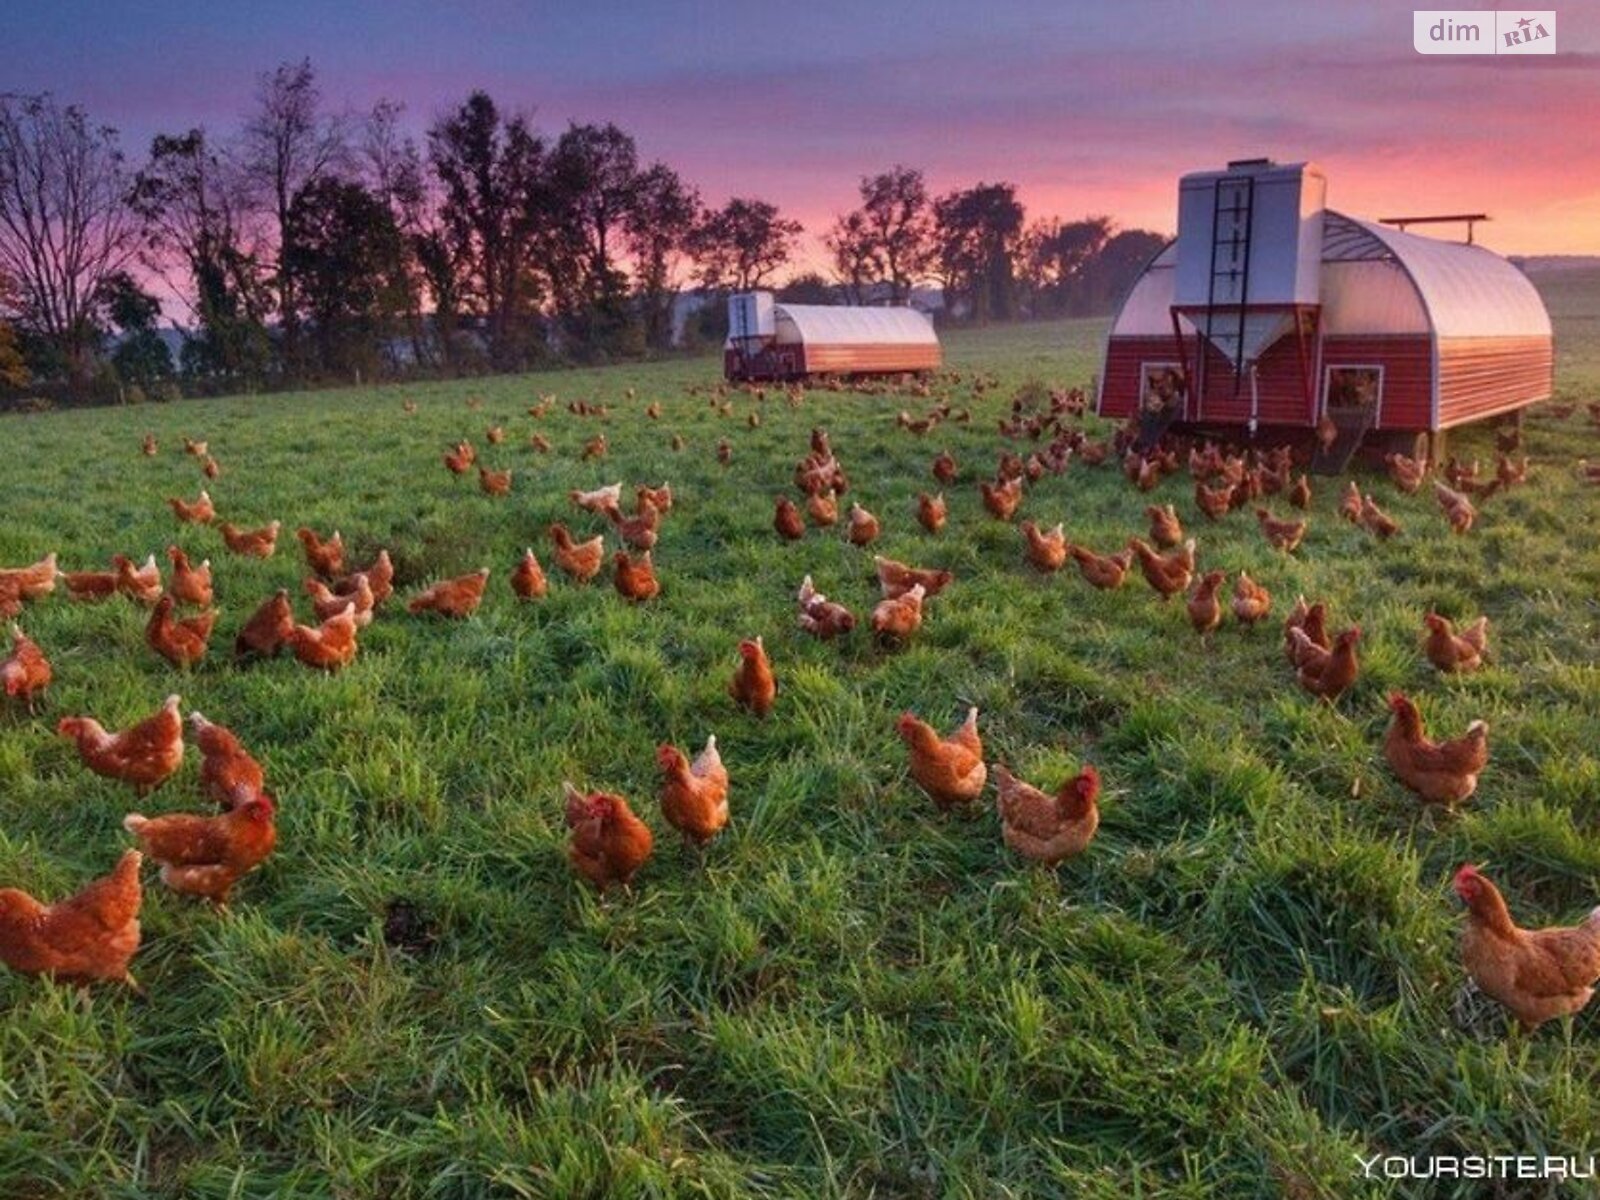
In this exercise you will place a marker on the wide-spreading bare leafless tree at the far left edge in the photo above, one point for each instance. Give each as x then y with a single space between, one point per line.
65 230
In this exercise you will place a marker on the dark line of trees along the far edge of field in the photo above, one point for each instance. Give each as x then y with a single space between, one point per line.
313 246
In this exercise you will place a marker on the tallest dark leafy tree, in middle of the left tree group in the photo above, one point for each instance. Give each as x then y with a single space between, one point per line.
495 202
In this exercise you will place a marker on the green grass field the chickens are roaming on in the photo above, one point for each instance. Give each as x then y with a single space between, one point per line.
1249 980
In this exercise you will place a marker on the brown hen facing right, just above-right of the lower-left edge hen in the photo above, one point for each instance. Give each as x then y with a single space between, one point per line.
206 855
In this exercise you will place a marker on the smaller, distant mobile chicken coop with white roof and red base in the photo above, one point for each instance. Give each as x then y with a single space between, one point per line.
790 342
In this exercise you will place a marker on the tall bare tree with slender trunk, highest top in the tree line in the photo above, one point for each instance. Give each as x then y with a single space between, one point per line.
290 145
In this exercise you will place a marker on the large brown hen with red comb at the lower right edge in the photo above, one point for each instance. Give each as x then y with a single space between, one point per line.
1537 974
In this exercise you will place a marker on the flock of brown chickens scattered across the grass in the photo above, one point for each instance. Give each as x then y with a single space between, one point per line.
1535 974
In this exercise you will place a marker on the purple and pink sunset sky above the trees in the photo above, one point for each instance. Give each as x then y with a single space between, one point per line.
1090 108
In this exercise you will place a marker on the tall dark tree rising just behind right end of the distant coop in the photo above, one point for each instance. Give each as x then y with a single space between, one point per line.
977 236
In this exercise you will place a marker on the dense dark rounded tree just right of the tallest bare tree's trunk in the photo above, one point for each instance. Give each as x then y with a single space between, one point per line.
348 260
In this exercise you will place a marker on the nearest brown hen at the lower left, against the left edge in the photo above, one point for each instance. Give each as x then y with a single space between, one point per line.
87 938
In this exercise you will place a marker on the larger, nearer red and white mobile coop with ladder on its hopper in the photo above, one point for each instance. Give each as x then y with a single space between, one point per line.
1270 311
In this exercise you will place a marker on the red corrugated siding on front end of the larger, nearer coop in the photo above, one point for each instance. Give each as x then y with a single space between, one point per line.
1407 362
